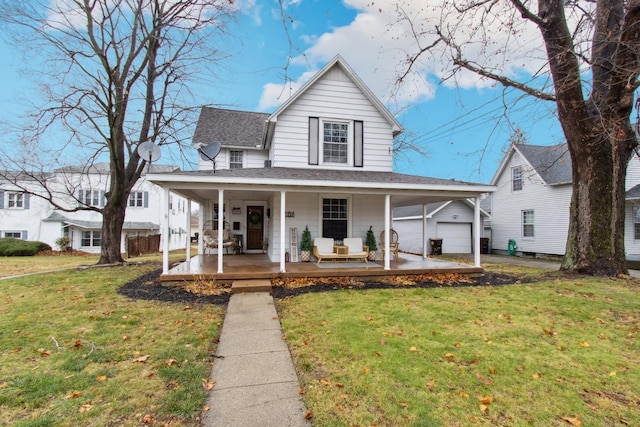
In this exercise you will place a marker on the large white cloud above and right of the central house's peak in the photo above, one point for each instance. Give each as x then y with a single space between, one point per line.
376 44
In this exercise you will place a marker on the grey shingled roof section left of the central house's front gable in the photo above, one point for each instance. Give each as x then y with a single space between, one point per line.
230 128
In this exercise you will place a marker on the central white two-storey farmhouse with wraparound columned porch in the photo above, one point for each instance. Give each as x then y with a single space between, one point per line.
323 159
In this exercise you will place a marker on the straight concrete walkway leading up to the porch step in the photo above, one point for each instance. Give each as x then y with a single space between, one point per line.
255 381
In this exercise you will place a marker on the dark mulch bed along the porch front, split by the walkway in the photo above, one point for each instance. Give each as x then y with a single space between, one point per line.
148 287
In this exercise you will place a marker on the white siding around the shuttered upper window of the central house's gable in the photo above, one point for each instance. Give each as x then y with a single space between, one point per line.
332 97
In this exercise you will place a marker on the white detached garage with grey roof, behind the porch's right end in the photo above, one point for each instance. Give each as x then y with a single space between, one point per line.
451 222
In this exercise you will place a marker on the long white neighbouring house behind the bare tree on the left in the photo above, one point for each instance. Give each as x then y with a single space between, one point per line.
30 217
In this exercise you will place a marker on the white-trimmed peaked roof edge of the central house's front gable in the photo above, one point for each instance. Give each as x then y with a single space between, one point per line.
337 61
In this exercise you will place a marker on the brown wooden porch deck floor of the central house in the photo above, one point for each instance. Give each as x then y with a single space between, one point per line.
258 266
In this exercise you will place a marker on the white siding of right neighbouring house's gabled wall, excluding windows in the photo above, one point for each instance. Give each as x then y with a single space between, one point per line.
551 212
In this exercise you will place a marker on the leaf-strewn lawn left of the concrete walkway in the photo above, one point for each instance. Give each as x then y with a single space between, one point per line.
74 352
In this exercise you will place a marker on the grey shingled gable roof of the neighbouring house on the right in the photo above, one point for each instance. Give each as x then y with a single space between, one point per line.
551 162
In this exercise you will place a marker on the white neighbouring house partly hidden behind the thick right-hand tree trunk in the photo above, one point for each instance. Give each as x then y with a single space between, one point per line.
530 206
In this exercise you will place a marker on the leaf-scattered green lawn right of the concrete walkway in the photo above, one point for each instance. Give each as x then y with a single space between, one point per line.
546 354
